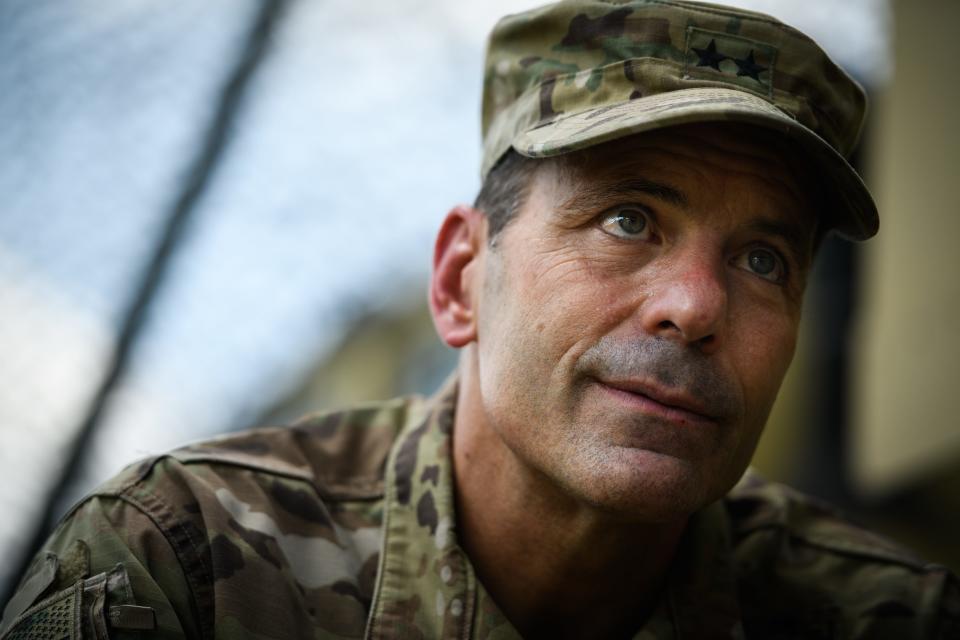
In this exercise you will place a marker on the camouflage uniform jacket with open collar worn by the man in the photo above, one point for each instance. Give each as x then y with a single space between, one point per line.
343 526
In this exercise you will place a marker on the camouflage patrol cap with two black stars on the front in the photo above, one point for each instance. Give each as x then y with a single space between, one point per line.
581 72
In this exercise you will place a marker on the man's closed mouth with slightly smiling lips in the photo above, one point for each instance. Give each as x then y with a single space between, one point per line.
674 405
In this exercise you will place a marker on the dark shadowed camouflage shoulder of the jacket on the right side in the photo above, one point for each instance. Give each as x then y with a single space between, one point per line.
801 565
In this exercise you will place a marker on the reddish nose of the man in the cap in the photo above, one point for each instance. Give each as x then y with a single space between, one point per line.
687 302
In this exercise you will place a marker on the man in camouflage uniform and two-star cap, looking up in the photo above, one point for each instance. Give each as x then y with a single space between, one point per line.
626 294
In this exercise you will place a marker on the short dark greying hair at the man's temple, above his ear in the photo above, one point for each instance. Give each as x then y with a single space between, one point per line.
504 191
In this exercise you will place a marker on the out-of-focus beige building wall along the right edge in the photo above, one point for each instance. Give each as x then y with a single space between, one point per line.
906 423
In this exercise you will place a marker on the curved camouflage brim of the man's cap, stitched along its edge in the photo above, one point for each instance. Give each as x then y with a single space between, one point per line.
855 214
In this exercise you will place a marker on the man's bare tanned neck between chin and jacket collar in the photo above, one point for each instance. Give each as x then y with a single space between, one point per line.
556 567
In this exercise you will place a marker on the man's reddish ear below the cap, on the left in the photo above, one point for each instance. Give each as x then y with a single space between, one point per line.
456 275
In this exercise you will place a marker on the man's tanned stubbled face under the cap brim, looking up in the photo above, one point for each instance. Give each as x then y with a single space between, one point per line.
635 320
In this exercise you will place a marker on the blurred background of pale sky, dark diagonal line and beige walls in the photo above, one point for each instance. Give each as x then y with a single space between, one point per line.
221 214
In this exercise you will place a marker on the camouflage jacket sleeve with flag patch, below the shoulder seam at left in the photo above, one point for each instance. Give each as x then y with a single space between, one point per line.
108 571
